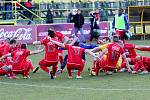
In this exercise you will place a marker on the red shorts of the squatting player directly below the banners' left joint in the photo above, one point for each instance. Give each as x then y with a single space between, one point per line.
46 63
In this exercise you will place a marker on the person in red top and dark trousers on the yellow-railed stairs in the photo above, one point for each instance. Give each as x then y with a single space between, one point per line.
28 13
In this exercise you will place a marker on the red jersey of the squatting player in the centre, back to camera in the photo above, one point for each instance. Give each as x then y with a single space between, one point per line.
74 54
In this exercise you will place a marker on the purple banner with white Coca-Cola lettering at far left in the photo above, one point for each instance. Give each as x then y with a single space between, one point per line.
25 34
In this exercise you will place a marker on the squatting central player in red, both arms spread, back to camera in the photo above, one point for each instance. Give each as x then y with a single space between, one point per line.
74 60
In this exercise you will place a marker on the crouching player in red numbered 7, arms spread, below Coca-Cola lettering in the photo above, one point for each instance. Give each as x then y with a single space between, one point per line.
19 63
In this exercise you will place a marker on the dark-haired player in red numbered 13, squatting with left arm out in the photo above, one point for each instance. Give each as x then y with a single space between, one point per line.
51 54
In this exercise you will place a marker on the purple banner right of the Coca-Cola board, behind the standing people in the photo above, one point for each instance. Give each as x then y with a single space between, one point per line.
68 28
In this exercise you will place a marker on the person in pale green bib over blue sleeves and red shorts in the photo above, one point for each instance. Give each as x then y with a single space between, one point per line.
121 25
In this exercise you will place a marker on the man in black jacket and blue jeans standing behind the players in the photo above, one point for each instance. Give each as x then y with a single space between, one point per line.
78 20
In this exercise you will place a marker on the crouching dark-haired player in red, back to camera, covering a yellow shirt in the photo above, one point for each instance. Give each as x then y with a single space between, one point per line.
108 63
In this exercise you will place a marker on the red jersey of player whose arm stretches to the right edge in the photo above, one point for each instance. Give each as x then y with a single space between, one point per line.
131 49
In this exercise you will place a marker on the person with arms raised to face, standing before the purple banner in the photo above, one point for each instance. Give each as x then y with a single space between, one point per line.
95 31
